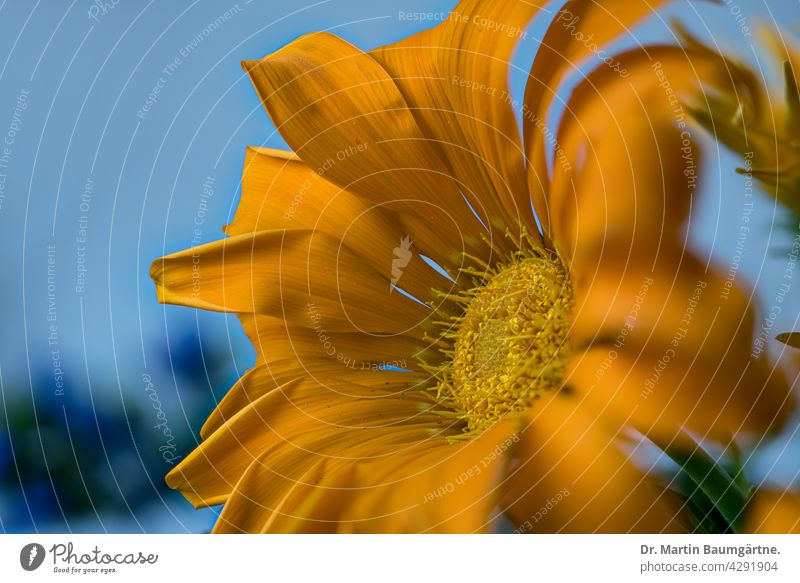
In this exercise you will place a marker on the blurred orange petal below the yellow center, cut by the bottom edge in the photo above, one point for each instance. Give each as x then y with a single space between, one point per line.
570 476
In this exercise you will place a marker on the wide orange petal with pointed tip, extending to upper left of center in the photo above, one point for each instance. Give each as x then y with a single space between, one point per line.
344 116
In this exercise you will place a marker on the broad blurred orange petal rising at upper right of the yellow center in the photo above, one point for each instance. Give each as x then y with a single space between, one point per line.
634 161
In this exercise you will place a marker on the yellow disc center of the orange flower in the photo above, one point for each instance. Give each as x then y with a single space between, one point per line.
512 342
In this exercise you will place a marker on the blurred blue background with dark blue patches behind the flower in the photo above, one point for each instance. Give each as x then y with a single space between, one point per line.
124 125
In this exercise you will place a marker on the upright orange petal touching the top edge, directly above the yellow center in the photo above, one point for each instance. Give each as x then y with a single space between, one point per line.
455 79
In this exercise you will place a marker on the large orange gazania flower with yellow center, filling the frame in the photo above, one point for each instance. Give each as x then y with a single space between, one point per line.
428 359
